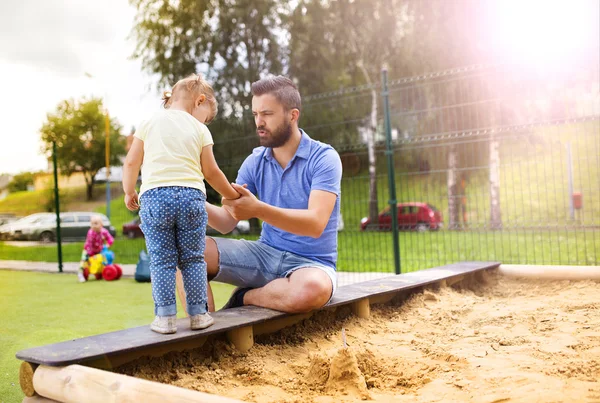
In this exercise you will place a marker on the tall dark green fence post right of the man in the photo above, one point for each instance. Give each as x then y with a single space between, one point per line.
389 152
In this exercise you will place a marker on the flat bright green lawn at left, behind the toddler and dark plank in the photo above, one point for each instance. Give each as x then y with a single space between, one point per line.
40 308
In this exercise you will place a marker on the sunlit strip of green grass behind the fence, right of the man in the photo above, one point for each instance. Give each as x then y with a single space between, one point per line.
372 251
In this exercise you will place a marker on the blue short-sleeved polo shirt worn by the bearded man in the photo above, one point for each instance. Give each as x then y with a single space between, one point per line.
315 166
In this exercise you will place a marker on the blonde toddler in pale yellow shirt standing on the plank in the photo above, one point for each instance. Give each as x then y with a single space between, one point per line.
174 150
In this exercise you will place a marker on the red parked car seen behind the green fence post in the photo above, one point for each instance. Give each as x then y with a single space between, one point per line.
414 216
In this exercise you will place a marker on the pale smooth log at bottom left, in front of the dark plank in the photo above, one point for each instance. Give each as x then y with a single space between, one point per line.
76 383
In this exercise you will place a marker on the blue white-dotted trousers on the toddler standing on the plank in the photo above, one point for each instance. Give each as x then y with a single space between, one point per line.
174 222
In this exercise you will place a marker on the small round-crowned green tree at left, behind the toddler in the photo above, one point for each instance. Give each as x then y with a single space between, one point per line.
79 131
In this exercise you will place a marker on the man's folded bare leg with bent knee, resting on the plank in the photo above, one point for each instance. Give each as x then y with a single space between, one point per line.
305 290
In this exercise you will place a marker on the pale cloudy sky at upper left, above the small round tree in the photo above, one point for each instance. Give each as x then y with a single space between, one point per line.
46 49
